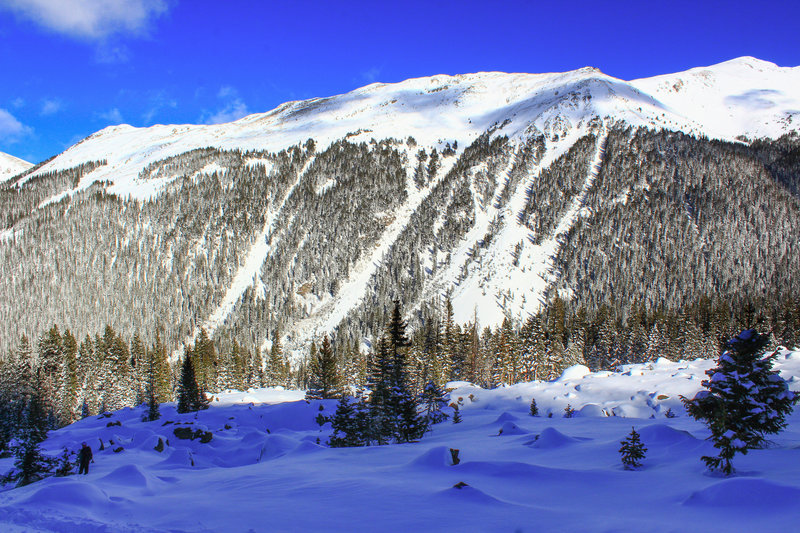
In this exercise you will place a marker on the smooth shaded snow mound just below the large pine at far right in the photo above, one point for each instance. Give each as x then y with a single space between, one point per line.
746 493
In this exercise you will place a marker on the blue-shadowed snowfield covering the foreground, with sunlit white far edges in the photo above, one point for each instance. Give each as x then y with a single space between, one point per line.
264 471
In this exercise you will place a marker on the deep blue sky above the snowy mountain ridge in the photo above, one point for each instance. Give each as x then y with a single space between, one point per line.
72 67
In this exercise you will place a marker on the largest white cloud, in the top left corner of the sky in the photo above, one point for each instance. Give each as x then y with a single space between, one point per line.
90 19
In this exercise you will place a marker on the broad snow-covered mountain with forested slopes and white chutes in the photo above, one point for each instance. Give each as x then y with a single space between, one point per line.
464 185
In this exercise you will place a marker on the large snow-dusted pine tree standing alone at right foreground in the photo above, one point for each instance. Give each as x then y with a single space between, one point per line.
743 400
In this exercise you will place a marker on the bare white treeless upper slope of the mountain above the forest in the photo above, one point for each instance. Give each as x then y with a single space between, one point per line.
740 97
